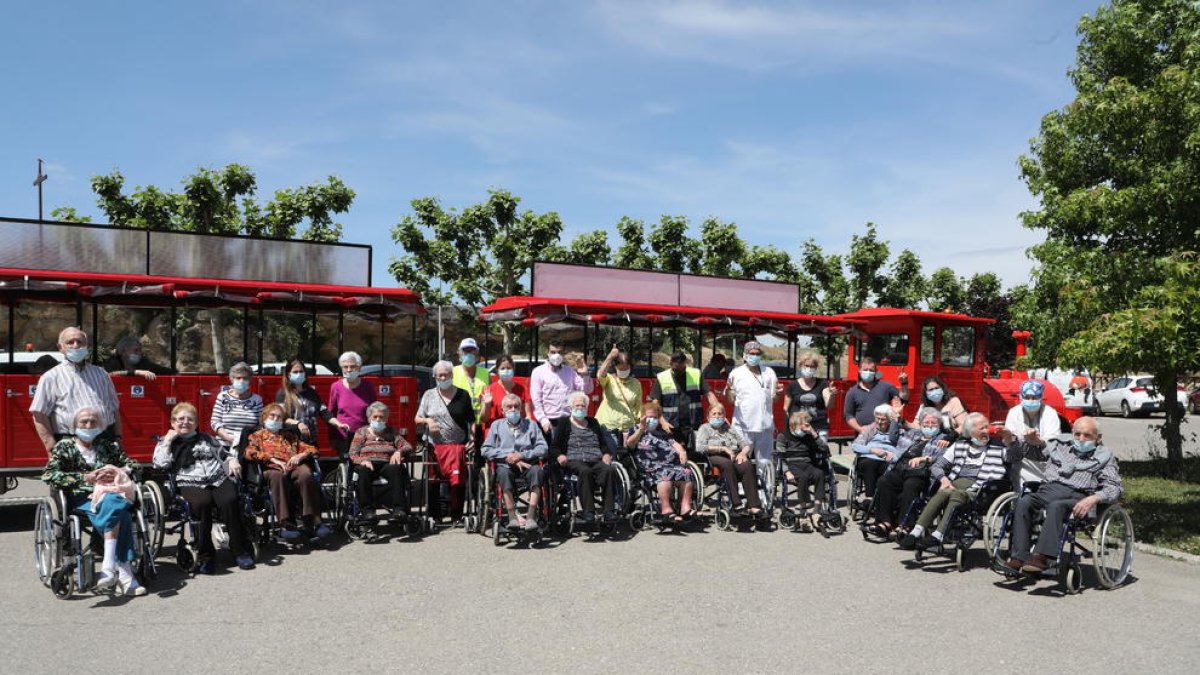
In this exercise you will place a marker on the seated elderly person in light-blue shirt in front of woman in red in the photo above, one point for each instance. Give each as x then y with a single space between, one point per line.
517 445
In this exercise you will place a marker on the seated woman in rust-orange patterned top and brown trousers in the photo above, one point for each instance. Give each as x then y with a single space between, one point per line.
286 461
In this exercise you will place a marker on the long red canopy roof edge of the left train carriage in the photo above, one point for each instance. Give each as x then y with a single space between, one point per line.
140 290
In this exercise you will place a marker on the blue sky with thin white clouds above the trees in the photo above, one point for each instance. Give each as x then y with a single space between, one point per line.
791 120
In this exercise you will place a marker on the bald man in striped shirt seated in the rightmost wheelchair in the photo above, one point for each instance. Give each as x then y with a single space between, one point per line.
1081 474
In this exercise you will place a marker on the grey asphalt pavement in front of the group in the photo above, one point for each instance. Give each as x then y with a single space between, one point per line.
707 602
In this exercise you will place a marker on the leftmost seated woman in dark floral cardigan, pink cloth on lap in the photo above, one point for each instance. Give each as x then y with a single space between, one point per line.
97 479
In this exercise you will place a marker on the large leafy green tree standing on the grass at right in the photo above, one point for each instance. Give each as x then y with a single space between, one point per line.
1115 172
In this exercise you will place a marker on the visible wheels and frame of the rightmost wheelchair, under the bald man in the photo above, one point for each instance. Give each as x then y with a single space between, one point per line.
1108 528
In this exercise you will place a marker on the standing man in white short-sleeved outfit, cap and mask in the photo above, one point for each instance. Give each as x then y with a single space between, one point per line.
752 391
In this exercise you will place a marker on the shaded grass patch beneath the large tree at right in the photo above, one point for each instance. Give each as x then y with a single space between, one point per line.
1165 503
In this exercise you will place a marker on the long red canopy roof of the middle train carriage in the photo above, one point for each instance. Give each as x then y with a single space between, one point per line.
538 312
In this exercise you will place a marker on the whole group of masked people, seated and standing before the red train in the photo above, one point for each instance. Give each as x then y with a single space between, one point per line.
530 432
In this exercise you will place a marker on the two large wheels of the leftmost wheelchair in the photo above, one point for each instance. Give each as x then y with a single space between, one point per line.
67 546
